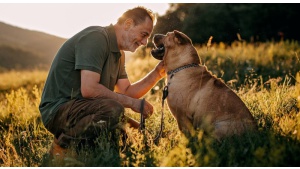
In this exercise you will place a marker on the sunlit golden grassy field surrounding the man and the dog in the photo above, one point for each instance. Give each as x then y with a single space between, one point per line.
264 75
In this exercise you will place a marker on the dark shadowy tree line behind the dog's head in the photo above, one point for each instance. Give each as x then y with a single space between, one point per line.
228 22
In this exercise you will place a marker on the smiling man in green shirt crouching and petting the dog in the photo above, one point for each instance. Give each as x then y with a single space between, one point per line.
87 86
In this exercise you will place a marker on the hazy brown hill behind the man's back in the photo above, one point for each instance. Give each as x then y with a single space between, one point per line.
26 49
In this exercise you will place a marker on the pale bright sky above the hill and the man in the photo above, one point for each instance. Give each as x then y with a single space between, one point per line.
66 19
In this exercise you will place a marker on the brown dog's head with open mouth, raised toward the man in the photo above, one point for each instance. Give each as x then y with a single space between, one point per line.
174 44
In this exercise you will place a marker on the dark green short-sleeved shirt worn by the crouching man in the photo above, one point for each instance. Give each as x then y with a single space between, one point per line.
94 48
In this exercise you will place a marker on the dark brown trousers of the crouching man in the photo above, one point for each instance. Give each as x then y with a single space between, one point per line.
81 119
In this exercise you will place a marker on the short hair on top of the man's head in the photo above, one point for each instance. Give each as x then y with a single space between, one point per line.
138 15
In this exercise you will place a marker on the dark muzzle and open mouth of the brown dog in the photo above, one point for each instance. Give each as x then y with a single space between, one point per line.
159 50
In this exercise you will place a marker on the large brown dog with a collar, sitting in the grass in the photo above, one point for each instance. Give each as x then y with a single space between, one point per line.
196 98
